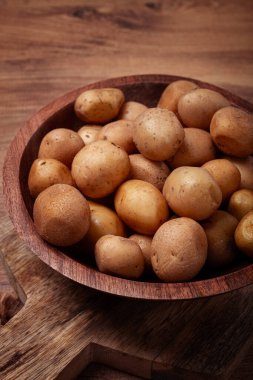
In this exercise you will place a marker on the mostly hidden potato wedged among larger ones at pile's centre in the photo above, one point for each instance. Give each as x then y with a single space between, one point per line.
154 172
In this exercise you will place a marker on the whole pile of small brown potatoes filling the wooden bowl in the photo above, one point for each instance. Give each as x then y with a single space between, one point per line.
178 178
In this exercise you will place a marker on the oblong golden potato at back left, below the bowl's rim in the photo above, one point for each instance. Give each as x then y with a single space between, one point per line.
99 105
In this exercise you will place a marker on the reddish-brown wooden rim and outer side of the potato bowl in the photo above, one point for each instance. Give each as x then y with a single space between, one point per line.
75 270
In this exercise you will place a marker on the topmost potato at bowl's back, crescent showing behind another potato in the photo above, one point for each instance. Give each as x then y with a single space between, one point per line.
173 92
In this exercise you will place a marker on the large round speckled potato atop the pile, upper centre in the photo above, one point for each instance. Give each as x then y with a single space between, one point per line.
158 134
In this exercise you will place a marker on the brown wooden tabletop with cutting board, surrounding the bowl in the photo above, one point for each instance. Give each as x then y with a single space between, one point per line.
56 328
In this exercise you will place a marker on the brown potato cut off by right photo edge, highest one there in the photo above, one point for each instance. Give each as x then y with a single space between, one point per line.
232 131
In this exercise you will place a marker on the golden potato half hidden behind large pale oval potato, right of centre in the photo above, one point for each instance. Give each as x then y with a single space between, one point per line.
225 174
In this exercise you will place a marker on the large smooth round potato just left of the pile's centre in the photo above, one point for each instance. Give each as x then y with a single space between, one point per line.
99 168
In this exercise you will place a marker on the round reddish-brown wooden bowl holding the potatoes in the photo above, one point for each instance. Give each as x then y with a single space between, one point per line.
23 150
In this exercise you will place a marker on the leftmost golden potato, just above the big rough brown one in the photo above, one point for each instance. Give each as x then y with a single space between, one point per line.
47 172
